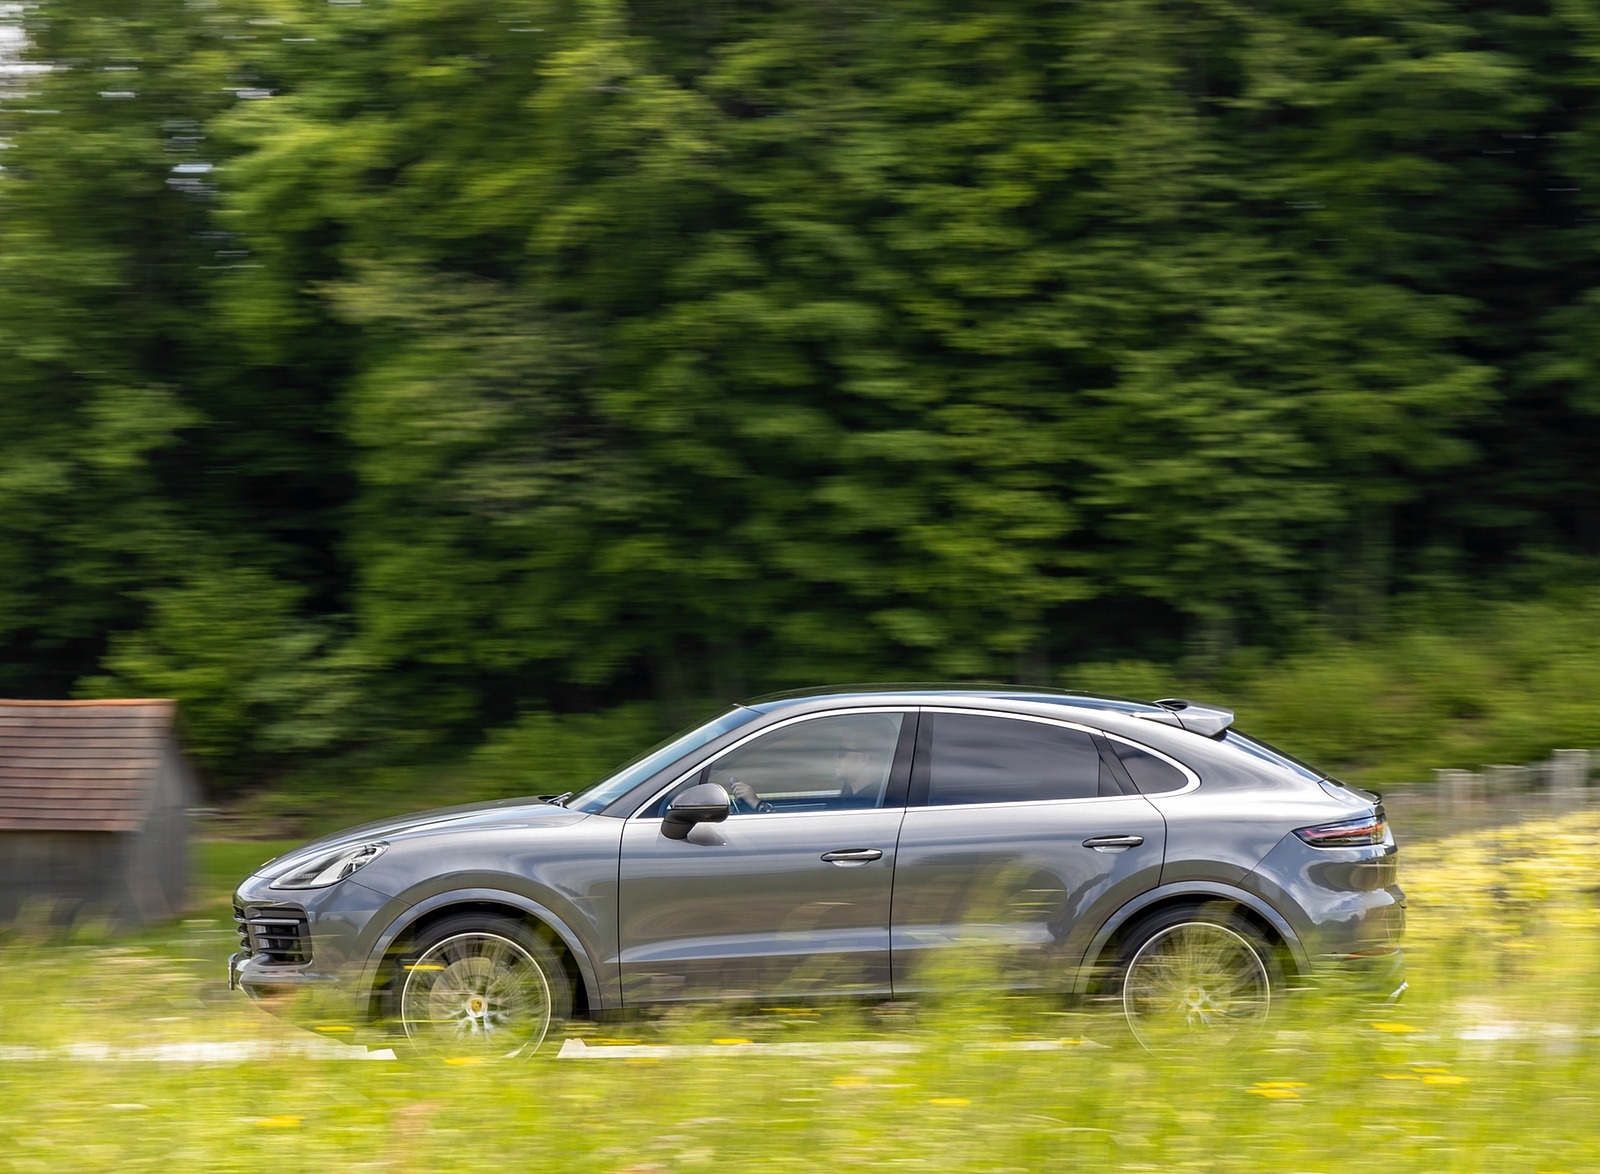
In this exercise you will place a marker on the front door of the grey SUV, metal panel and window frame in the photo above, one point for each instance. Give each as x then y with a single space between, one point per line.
793 901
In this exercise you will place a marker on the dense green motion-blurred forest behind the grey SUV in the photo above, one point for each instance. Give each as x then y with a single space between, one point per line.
380 375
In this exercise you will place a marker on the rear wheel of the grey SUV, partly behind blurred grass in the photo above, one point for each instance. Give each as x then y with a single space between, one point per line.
1198 978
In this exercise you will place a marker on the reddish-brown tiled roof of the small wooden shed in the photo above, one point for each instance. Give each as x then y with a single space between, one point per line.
81 765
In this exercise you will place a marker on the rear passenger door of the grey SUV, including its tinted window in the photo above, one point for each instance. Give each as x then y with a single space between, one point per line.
1017 845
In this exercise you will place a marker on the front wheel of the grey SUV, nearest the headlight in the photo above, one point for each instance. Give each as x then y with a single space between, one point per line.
481 988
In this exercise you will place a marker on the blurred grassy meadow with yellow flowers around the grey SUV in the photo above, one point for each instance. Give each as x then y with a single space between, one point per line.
1490 1066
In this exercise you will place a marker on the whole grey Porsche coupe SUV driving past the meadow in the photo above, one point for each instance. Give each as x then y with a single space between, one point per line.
847 844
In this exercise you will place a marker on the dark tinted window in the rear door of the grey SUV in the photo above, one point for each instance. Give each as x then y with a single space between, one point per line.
999 761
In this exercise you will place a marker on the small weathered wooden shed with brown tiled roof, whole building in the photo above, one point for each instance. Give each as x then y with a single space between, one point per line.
95 804
